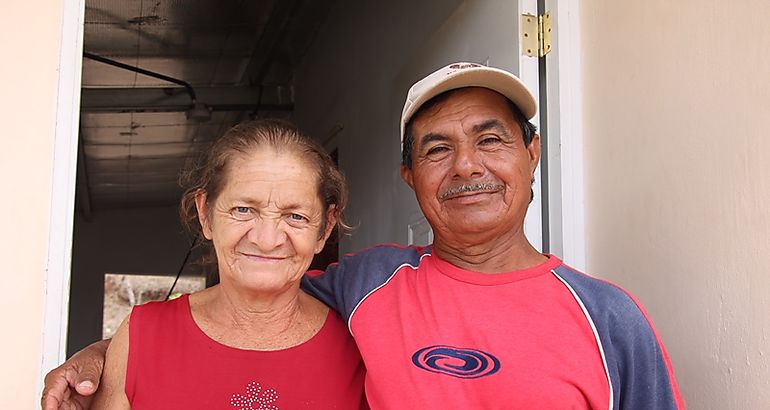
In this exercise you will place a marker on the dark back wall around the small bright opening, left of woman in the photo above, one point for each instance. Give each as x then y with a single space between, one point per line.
147 241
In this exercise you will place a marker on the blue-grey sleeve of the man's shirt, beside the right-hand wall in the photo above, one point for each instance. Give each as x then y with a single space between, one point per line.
639 371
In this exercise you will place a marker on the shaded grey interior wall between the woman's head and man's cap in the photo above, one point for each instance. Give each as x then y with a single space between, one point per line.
357 74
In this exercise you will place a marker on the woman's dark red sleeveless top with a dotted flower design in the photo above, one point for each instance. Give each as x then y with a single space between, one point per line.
172 364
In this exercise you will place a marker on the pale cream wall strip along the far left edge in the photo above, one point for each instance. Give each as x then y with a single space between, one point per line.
29 42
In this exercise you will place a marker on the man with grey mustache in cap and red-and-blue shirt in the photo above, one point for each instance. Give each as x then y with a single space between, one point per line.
481 319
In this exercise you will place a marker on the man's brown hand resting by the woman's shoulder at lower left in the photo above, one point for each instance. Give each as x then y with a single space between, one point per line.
71 386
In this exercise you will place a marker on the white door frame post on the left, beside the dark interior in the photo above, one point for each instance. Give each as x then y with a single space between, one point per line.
58 266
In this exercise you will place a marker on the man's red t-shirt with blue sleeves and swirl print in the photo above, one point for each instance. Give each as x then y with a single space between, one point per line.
435 336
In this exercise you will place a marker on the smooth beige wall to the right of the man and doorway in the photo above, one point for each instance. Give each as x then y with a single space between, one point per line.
678 181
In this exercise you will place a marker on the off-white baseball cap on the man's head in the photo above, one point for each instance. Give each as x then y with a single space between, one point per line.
460 75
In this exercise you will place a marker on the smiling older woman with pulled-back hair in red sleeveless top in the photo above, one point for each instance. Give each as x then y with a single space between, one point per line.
267 197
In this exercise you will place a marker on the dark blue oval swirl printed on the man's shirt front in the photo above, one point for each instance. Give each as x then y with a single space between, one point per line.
464 363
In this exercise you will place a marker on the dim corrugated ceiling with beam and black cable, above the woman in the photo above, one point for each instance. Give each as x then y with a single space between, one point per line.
239 57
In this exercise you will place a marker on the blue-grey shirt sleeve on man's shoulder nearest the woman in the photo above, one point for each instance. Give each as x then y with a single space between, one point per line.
345 284
